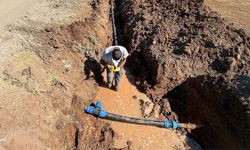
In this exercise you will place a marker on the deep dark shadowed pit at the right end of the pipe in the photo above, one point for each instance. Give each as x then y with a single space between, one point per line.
221 106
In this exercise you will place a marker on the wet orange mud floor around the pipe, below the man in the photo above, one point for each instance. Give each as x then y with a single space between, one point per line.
140 136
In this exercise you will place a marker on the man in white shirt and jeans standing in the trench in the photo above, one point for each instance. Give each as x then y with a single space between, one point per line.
113 60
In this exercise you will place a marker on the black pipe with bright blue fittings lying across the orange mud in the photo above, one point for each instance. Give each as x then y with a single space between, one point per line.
98 111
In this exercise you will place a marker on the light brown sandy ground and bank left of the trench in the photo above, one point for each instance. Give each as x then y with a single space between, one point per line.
48 66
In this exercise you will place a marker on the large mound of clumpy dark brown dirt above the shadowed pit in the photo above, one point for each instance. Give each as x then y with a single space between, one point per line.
174 40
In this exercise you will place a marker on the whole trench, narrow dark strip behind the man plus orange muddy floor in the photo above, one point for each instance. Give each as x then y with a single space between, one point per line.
128 101
